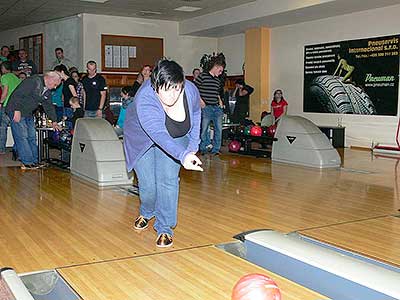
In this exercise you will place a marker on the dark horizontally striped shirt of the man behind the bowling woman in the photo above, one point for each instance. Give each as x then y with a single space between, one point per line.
209 87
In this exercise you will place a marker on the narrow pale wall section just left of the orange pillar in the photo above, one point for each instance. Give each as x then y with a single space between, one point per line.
233 48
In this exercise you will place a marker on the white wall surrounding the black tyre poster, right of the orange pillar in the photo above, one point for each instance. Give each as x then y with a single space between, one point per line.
287 50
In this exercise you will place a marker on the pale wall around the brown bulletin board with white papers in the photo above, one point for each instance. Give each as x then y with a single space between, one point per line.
185 50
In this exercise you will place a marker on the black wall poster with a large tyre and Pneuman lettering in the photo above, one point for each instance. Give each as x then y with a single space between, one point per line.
352 77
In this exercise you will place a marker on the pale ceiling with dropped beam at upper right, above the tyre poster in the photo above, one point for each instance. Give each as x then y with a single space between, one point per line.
262 13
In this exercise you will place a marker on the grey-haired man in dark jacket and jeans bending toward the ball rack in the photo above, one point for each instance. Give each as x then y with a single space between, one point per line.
26 98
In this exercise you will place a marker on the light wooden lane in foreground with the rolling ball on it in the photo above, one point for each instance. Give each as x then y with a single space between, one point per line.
198 273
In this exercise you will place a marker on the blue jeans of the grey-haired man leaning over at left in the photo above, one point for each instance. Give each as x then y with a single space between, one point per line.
24 134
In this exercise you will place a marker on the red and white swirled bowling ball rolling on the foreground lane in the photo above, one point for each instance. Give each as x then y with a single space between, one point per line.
256 287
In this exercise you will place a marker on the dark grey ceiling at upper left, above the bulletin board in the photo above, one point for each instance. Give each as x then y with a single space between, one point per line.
17 13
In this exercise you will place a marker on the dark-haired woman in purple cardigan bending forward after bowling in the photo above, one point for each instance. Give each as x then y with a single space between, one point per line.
162 130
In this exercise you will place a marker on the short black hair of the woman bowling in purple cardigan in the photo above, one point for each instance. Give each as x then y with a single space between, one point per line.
166 74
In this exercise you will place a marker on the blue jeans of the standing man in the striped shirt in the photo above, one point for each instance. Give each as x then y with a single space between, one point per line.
210 113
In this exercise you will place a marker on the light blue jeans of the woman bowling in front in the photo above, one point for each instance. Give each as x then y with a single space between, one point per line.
158 178
